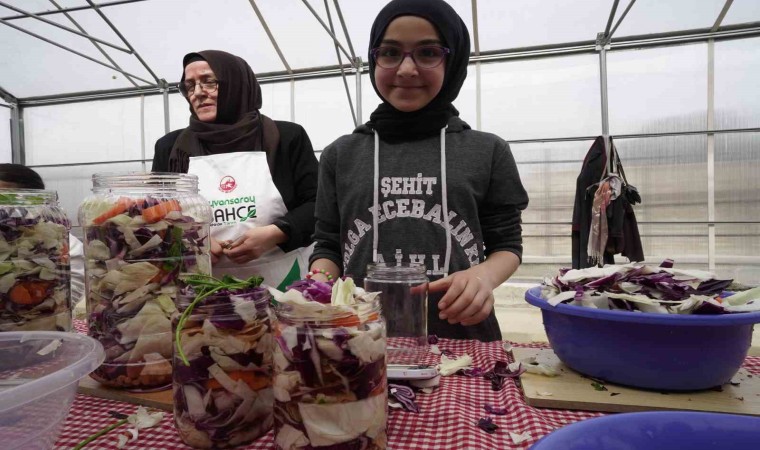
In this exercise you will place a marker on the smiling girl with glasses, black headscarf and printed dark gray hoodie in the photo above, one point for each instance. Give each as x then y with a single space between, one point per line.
416 183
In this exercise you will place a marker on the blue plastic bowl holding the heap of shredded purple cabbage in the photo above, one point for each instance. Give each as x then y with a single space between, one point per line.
645 350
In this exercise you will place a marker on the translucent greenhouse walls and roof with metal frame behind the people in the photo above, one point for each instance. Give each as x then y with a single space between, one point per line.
88 87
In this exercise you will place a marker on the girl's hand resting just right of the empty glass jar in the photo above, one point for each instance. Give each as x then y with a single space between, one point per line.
468 299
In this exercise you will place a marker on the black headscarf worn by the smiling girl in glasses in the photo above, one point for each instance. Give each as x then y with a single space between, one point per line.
395 125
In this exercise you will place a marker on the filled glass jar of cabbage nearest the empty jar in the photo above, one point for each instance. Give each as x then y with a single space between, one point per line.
330 385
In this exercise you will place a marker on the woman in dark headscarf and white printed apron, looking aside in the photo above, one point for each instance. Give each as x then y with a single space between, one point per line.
259 175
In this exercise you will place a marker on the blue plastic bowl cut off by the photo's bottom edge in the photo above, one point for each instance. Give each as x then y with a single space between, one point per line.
662 430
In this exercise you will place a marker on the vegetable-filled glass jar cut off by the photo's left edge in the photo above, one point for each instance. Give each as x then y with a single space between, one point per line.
35 277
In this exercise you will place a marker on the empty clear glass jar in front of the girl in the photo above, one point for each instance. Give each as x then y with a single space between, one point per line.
403 292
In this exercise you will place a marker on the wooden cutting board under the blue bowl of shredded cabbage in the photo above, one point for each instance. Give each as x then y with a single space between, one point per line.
570 390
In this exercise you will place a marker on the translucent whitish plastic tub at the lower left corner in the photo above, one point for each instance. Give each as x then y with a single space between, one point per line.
36 390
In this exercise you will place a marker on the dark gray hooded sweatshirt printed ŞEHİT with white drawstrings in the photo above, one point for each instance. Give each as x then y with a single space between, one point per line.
479 191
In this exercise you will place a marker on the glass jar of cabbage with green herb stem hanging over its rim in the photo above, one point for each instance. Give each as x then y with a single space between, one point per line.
223 375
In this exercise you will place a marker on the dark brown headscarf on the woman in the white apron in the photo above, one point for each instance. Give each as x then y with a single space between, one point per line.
238 125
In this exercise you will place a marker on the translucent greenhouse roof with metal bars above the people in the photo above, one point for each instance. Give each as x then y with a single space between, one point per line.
61 50
